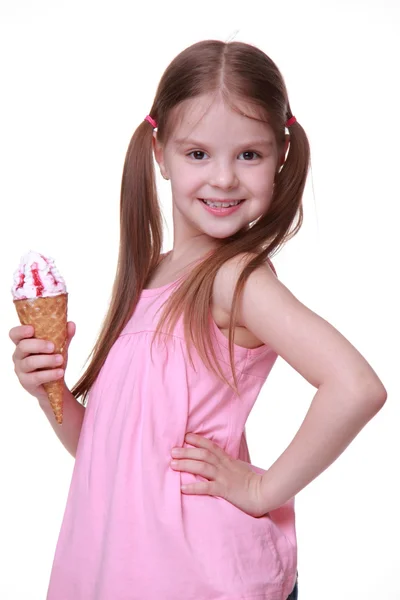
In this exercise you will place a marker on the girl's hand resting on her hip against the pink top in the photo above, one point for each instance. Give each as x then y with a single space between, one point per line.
228 478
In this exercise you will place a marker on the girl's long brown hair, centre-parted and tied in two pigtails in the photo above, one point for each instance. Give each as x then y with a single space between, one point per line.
238 71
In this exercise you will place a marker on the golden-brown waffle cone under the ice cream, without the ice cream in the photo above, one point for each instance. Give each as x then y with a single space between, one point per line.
48 316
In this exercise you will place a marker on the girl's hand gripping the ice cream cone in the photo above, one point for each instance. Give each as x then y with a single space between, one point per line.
34 361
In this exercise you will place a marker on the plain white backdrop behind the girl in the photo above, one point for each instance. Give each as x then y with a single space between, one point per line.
77 78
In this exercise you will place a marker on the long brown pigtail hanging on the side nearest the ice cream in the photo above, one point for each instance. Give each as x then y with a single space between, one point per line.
139 251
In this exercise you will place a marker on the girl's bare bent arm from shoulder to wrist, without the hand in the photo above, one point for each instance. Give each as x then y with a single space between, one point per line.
349 393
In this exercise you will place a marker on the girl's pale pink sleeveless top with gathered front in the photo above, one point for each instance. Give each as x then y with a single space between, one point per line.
128 532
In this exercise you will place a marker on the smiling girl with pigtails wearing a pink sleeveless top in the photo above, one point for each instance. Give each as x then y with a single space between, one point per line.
164 503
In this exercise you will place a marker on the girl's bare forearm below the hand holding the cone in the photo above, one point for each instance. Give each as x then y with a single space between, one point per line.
73 412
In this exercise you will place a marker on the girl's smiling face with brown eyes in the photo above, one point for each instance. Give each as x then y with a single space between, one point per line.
222 167
